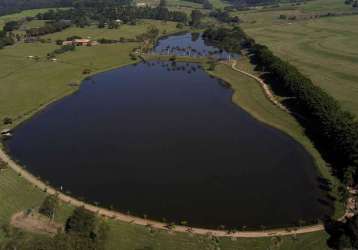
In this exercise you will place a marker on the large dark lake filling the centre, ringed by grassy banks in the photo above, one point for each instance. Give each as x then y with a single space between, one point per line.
167 141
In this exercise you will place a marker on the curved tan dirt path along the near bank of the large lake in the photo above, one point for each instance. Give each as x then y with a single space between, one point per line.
155 224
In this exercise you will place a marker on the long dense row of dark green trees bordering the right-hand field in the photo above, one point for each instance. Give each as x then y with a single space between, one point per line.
331 128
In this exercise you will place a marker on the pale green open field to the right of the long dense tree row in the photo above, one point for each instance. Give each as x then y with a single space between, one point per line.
323 49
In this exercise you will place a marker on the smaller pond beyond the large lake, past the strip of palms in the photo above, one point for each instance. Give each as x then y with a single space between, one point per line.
190 44
